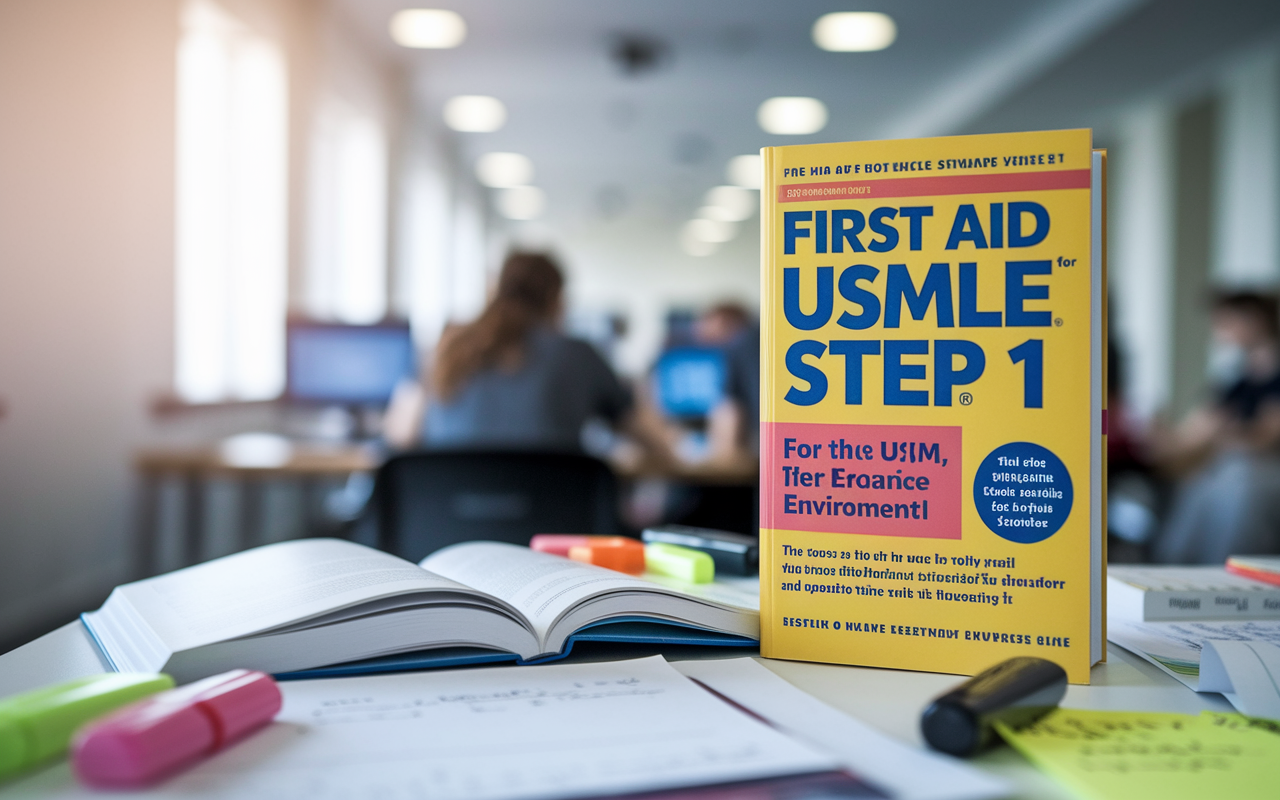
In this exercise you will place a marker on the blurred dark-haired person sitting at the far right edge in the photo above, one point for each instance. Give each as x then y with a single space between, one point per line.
1229 502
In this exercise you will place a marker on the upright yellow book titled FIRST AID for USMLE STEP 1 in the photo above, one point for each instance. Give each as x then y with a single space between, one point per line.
934 414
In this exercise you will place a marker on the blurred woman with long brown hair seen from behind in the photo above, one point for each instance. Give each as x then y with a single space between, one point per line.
511 380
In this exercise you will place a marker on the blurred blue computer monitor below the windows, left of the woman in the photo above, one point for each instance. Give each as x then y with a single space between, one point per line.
349 365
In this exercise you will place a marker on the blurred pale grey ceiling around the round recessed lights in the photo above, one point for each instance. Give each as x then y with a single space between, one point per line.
607 144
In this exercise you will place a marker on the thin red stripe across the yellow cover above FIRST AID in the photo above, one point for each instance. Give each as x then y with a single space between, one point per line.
936 185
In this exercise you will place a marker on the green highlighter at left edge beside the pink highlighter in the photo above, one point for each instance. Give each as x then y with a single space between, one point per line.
39 725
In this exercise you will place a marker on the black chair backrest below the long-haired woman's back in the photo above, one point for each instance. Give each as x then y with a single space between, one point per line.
431 500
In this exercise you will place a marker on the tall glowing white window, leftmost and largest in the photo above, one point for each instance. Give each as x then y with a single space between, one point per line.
231 209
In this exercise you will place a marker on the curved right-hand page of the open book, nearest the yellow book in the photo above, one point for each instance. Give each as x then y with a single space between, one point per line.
546 588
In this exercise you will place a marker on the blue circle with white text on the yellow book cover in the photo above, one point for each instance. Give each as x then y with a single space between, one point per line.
1023 492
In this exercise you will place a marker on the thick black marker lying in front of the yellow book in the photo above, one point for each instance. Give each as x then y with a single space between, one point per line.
1017 692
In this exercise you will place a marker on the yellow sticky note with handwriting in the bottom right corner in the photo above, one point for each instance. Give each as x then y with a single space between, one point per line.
1124 756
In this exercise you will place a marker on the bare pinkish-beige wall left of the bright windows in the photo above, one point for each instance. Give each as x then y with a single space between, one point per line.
86 287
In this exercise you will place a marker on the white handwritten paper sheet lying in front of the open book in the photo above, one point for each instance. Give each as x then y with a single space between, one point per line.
497 734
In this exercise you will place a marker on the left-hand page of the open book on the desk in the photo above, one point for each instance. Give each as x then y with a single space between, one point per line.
269 588
